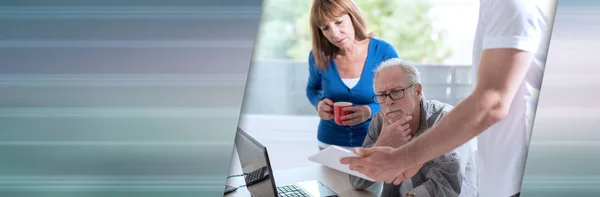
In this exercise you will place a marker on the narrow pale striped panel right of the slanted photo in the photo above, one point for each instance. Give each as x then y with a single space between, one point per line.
563 156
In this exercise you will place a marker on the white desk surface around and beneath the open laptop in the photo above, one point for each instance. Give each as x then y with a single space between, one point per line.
335 180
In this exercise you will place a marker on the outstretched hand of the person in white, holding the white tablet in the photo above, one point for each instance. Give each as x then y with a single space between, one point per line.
379 164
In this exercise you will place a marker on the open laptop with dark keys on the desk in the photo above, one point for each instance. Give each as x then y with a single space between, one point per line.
258 173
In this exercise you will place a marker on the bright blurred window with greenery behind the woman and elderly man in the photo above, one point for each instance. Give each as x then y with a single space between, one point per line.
425 32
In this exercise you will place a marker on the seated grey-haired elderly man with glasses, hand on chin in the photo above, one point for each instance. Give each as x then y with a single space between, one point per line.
406 114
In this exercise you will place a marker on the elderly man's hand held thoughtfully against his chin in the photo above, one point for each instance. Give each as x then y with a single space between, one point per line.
395 134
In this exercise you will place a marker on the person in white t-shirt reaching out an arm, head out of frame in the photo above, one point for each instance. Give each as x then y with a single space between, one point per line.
508 35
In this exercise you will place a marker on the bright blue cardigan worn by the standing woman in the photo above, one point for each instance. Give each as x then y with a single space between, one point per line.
328 84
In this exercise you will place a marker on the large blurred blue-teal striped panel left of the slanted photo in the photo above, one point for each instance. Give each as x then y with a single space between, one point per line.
121 98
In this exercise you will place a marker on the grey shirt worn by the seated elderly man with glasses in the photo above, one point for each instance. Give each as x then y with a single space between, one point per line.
438 177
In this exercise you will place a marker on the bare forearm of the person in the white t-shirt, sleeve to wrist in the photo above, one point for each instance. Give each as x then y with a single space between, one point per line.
500 74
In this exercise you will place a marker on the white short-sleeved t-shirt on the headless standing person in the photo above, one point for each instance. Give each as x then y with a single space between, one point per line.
503 147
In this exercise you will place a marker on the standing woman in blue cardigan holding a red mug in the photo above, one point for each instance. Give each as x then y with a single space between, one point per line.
341 67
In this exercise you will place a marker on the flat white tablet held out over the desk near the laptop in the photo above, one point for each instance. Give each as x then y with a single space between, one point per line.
331 156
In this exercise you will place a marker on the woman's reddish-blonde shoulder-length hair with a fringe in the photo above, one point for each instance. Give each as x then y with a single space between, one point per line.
326 10
